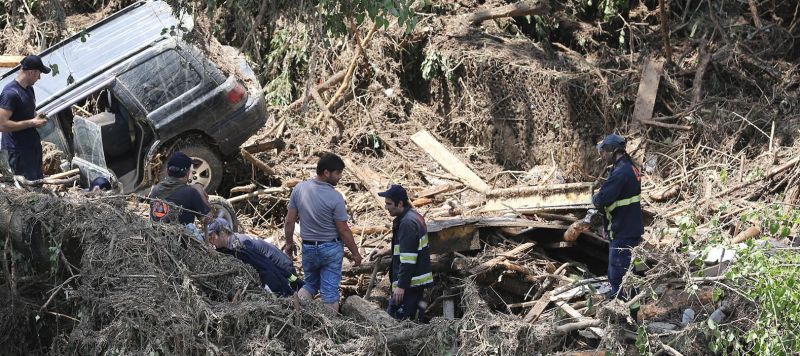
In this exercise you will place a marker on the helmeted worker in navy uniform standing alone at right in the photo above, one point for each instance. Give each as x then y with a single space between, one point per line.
619 201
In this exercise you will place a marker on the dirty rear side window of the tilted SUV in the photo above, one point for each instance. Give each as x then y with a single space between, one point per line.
160 79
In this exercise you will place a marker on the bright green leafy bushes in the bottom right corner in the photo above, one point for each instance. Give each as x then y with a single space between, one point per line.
768 277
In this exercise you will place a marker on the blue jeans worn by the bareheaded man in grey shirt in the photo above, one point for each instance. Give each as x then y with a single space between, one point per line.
322 270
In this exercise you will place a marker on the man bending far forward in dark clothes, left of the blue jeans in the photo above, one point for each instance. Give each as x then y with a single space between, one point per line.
275 269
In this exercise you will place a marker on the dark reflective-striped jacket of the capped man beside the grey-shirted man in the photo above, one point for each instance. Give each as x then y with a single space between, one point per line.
411 259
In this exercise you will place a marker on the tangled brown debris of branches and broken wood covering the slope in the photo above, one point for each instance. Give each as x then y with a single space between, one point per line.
491 126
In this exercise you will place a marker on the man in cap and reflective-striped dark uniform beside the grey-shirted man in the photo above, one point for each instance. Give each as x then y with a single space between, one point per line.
411 259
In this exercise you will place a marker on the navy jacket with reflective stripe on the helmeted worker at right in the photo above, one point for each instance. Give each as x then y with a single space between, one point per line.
619 199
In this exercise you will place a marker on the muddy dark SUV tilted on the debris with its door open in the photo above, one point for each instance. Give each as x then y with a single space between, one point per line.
128 91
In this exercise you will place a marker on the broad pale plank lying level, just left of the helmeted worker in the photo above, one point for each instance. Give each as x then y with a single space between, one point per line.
544 198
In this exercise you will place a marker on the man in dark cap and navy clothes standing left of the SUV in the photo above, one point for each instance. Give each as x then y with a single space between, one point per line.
19 120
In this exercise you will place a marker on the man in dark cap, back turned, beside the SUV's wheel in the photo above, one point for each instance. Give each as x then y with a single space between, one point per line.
173 198
